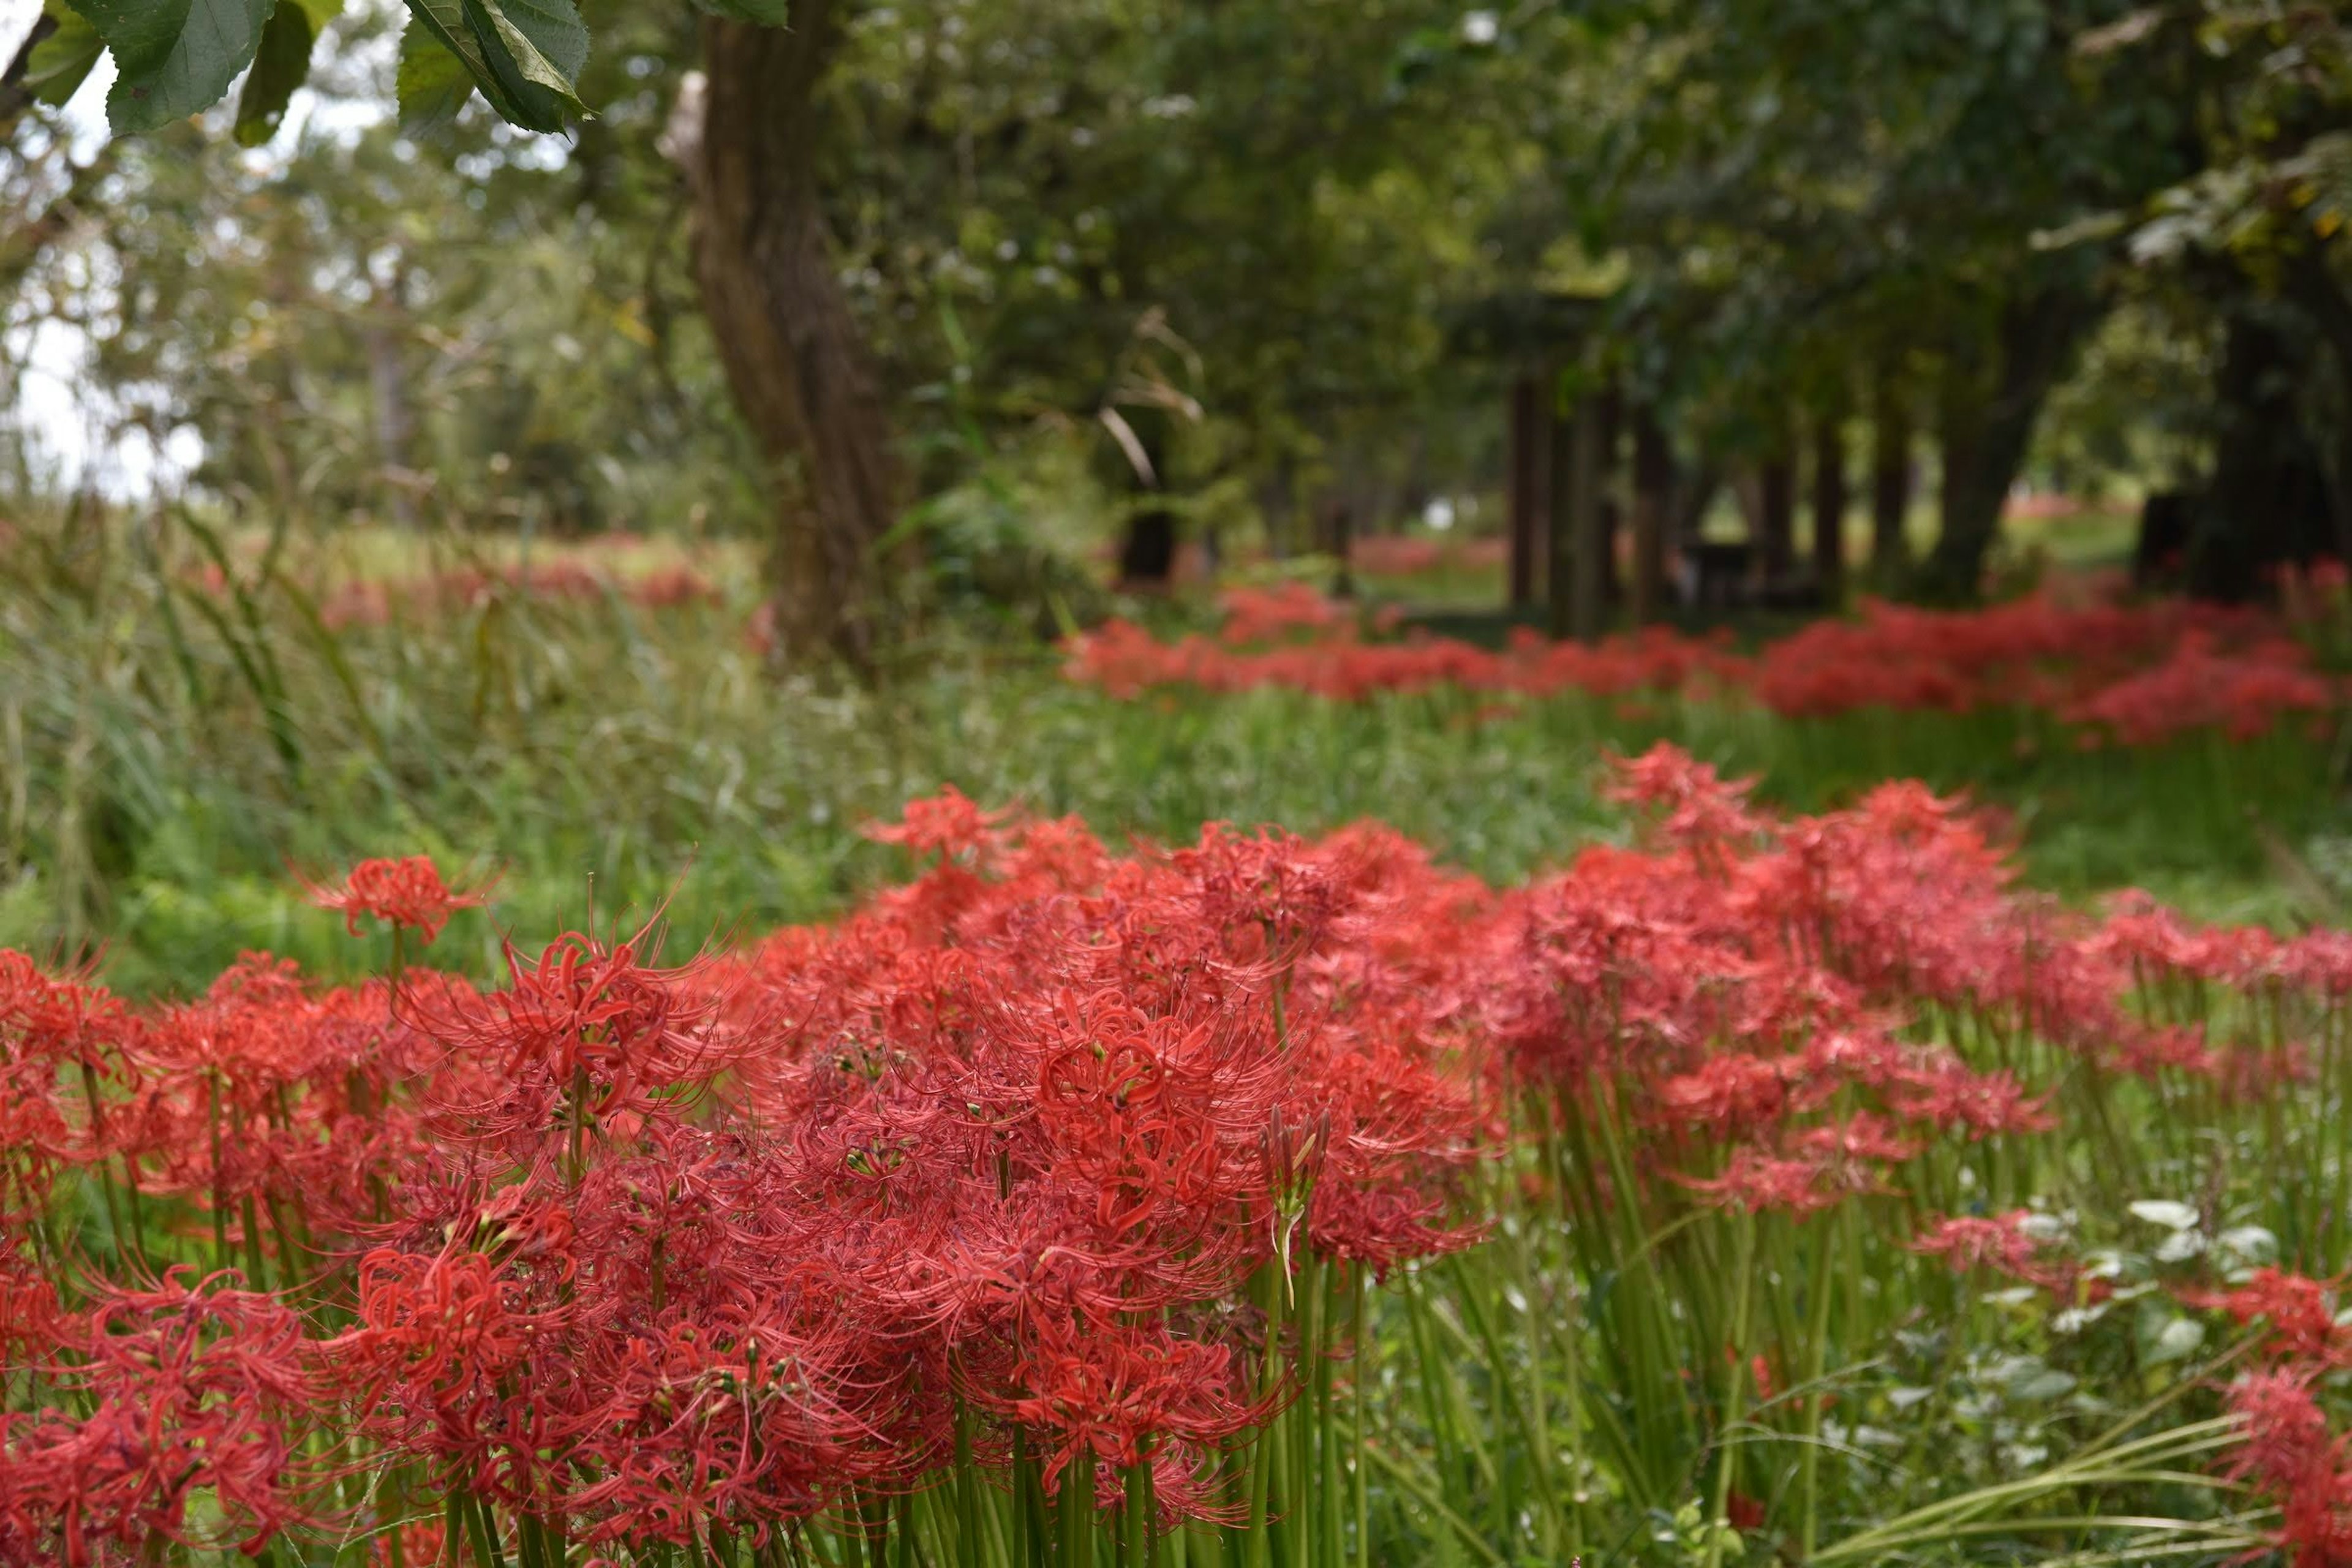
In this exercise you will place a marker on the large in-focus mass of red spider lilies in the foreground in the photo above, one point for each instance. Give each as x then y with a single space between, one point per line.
1055 1167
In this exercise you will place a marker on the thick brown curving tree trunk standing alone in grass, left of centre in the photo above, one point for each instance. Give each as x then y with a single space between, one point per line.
784 330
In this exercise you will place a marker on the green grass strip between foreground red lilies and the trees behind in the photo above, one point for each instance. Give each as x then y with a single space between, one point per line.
168 756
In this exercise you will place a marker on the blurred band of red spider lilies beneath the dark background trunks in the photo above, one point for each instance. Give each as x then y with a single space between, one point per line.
2127 674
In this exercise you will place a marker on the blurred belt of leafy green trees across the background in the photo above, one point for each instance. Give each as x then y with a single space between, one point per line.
1201 272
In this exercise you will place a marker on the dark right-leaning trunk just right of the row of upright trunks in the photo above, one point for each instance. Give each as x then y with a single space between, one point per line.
1986 431
